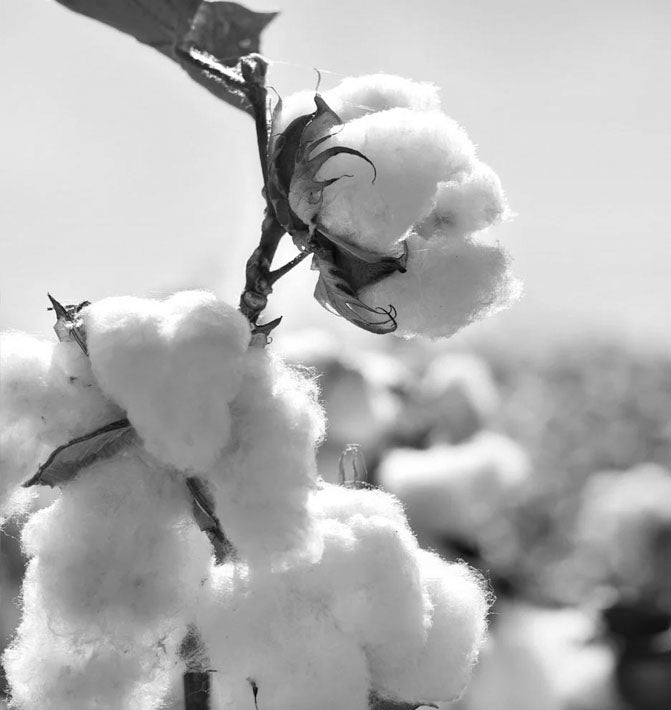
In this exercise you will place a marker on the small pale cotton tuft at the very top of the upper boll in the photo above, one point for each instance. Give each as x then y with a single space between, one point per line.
357 96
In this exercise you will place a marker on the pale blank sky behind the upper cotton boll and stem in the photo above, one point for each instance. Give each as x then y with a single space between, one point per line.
118 174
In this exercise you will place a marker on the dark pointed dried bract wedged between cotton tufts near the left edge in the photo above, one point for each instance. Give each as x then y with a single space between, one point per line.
68 460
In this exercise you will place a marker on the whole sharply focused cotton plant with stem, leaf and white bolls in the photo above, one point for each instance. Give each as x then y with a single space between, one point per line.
193 538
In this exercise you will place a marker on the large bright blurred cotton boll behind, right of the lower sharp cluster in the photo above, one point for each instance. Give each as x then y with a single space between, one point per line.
461 490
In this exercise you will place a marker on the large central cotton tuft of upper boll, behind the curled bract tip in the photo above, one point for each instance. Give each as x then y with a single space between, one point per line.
411 152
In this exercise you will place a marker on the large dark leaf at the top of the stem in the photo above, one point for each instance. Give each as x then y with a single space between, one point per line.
225 30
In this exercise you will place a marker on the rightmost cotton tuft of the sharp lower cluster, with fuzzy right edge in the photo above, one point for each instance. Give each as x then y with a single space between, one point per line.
456 631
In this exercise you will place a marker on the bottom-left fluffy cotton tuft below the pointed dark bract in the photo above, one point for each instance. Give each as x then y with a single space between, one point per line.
115 565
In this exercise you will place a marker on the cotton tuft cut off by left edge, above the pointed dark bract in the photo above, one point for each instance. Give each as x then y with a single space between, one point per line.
47 397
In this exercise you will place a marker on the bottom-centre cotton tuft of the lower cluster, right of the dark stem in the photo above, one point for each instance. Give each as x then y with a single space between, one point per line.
265 630
